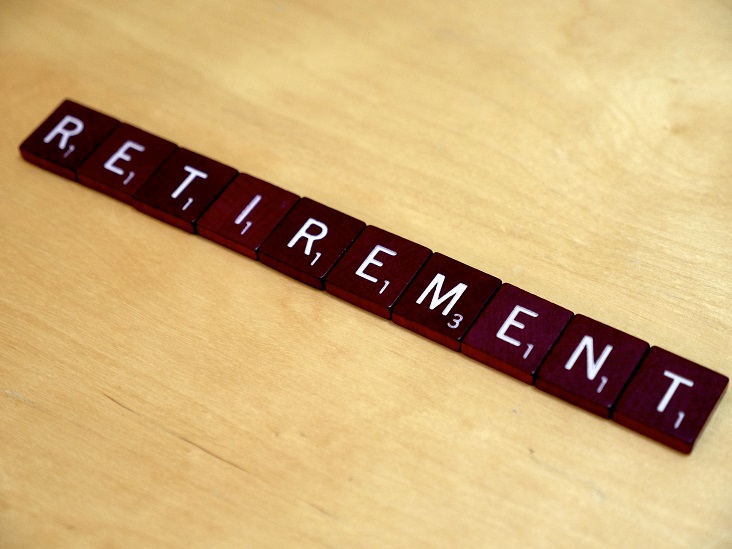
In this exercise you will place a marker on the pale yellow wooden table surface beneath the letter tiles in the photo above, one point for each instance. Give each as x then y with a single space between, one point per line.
158 390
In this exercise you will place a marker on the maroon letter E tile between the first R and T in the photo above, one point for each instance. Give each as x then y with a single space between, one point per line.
124 161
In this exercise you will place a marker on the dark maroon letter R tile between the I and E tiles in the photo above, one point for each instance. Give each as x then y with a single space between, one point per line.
309 241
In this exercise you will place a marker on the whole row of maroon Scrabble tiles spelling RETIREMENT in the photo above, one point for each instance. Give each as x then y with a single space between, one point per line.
599 368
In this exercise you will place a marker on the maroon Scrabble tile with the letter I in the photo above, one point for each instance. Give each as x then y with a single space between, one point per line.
245 214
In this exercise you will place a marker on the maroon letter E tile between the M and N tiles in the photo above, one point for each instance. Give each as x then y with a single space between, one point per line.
515 332
